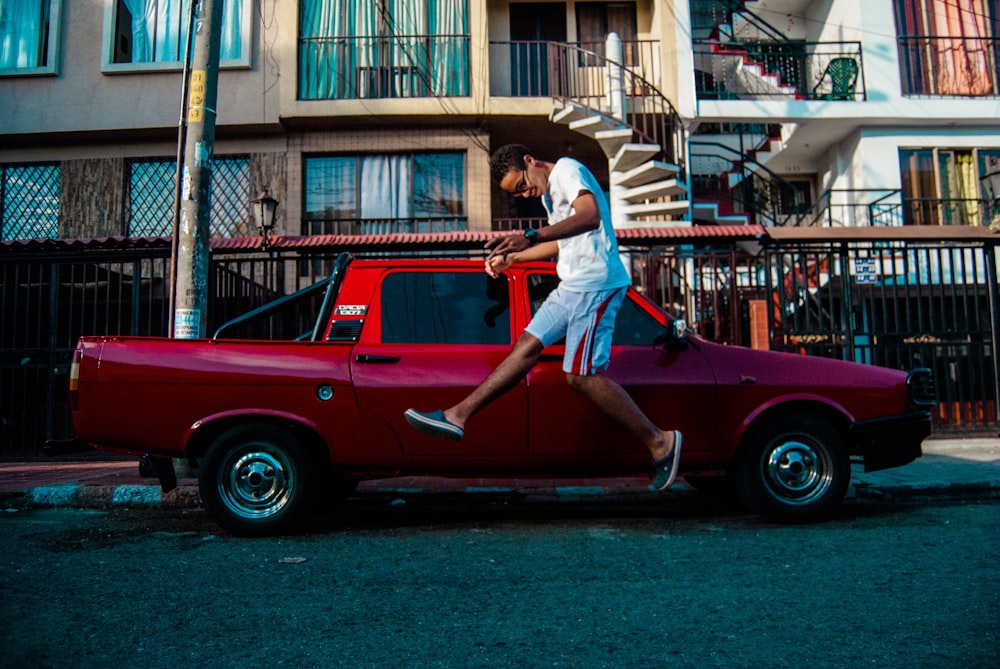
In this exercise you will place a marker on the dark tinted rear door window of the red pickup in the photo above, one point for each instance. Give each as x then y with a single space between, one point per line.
445 308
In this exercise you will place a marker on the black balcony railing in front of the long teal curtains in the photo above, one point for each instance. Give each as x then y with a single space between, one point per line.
400 66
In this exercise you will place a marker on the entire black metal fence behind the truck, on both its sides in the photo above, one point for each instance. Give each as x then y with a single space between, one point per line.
892 304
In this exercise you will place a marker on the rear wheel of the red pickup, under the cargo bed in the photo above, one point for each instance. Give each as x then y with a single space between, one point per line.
256 479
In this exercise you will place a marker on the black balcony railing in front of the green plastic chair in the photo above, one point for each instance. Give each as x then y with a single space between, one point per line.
779 70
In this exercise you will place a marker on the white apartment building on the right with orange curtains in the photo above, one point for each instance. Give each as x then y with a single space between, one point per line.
844 112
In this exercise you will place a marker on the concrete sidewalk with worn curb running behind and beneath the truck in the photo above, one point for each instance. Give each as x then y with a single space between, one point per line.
949 467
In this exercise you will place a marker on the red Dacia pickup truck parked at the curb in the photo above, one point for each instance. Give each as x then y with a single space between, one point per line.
274 425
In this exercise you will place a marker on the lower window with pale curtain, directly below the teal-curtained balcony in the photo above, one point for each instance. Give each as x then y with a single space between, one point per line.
373 194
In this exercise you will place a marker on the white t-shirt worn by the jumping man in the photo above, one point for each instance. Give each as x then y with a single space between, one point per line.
589 261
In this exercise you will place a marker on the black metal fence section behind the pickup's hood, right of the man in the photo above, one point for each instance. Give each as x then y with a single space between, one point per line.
893 304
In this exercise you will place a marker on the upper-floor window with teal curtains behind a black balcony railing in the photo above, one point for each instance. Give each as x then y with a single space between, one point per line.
388 49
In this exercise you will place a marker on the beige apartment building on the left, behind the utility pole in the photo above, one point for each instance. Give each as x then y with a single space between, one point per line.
358 117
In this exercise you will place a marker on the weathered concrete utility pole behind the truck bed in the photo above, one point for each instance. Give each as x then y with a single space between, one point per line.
191 281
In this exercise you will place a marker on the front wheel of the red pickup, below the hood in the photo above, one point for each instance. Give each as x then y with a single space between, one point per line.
795 469
